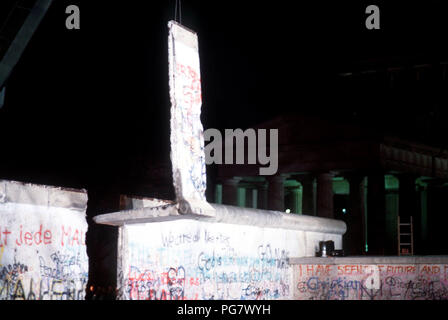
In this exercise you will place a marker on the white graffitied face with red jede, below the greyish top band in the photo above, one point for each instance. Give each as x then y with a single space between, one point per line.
43 256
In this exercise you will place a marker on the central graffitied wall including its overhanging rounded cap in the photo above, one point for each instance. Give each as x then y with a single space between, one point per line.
236 254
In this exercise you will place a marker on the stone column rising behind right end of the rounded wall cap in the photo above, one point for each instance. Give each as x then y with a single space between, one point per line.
324 190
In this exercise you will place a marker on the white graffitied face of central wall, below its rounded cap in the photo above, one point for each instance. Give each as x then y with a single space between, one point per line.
164 261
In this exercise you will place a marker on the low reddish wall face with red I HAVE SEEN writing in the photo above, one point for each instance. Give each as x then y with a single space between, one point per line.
372 282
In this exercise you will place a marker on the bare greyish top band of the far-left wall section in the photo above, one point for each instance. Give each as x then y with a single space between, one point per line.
42 195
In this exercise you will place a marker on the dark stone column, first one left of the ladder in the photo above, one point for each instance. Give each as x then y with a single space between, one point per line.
376 214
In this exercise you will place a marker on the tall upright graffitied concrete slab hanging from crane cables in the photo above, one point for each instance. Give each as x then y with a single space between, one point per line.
187 138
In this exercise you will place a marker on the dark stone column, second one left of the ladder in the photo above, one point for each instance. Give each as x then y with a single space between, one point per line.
354 238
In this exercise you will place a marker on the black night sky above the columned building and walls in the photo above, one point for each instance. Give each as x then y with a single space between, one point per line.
82 105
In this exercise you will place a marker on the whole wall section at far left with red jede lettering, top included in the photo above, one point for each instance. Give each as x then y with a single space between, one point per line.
42 242
